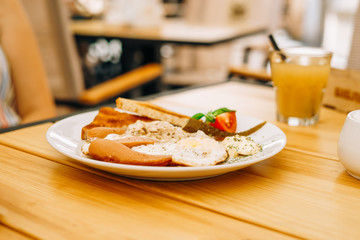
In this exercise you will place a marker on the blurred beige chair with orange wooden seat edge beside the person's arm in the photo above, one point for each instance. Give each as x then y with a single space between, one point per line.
51 25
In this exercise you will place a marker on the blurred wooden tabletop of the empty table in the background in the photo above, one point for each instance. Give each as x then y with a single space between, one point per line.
170 31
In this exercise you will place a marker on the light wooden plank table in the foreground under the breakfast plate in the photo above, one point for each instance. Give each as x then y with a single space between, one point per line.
301 193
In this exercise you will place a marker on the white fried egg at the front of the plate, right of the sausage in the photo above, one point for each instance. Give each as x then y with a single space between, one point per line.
199 151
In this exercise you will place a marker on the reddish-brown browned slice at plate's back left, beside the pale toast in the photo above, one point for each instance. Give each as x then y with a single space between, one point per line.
110 118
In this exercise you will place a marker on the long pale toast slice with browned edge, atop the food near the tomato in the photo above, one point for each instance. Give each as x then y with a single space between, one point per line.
152 111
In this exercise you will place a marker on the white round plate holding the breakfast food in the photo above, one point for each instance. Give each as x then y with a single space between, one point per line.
65 137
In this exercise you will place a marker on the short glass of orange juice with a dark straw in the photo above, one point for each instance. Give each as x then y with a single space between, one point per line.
299 76
